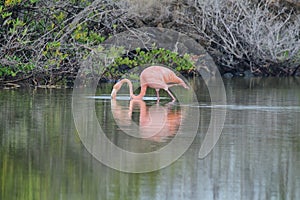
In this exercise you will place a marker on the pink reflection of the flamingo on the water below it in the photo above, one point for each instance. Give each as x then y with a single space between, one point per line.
156 122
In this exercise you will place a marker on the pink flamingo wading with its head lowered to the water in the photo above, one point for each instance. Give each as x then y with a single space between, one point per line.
156 77
